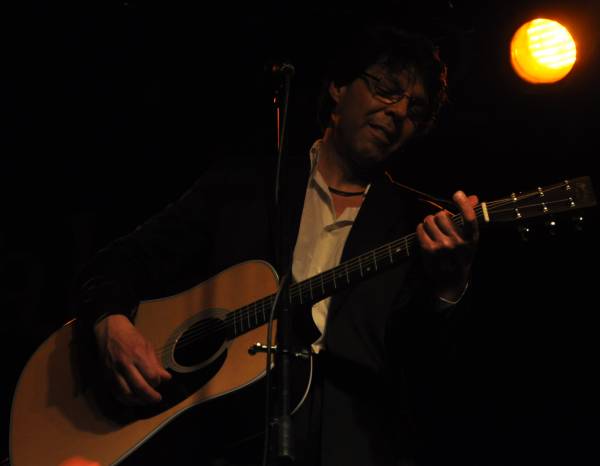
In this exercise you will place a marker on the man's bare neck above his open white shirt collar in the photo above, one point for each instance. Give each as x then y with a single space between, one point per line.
335 168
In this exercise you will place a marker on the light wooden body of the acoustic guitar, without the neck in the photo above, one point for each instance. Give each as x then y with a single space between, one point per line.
57 416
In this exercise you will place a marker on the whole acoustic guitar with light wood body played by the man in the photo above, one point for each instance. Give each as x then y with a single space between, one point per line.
204 337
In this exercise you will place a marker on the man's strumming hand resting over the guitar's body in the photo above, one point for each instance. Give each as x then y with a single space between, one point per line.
131 364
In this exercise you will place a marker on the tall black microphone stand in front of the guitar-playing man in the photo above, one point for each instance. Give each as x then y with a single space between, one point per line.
280 421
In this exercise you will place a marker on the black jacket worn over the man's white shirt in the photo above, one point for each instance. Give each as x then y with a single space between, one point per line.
379 334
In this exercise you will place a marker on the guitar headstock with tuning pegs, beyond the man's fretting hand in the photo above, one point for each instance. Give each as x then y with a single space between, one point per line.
568 195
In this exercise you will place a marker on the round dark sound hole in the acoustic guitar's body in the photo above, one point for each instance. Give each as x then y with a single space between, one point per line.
201 341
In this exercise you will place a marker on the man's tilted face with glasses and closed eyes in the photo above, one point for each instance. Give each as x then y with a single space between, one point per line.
376 114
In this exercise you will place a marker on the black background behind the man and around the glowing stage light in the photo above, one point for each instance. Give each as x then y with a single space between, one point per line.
109 111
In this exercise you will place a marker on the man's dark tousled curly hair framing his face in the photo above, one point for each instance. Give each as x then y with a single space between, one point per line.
397 50
